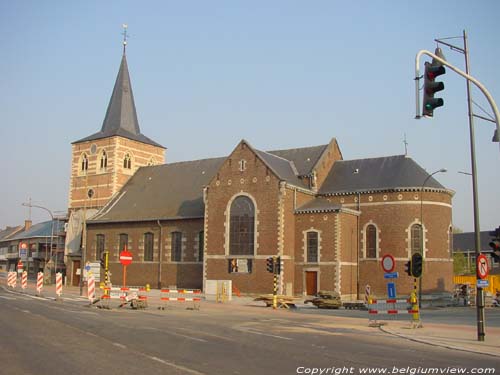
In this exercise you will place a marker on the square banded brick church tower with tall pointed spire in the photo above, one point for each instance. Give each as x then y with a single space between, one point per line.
103 162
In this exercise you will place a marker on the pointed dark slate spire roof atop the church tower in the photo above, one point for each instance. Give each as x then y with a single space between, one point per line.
121 115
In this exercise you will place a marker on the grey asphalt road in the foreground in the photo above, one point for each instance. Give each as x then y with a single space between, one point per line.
39 336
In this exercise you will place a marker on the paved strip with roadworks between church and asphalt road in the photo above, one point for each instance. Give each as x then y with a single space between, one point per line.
462 337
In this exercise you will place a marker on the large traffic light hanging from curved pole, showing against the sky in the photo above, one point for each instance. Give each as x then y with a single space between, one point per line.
432 70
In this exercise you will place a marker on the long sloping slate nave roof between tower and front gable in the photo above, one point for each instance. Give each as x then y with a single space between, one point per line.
169 191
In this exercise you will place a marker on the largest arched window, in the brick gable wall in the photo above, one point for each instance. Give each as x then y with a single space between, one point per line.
242 222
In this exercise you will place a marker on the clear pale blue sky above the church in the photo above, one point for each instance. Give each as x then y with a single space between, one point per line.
280 74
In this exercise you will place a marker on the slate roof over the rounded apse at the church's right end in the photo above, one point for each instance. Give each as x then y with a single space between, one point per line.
377 174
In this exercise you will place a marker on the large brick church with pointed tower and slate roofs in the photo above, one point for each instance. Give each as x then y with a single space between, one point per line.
329 220
